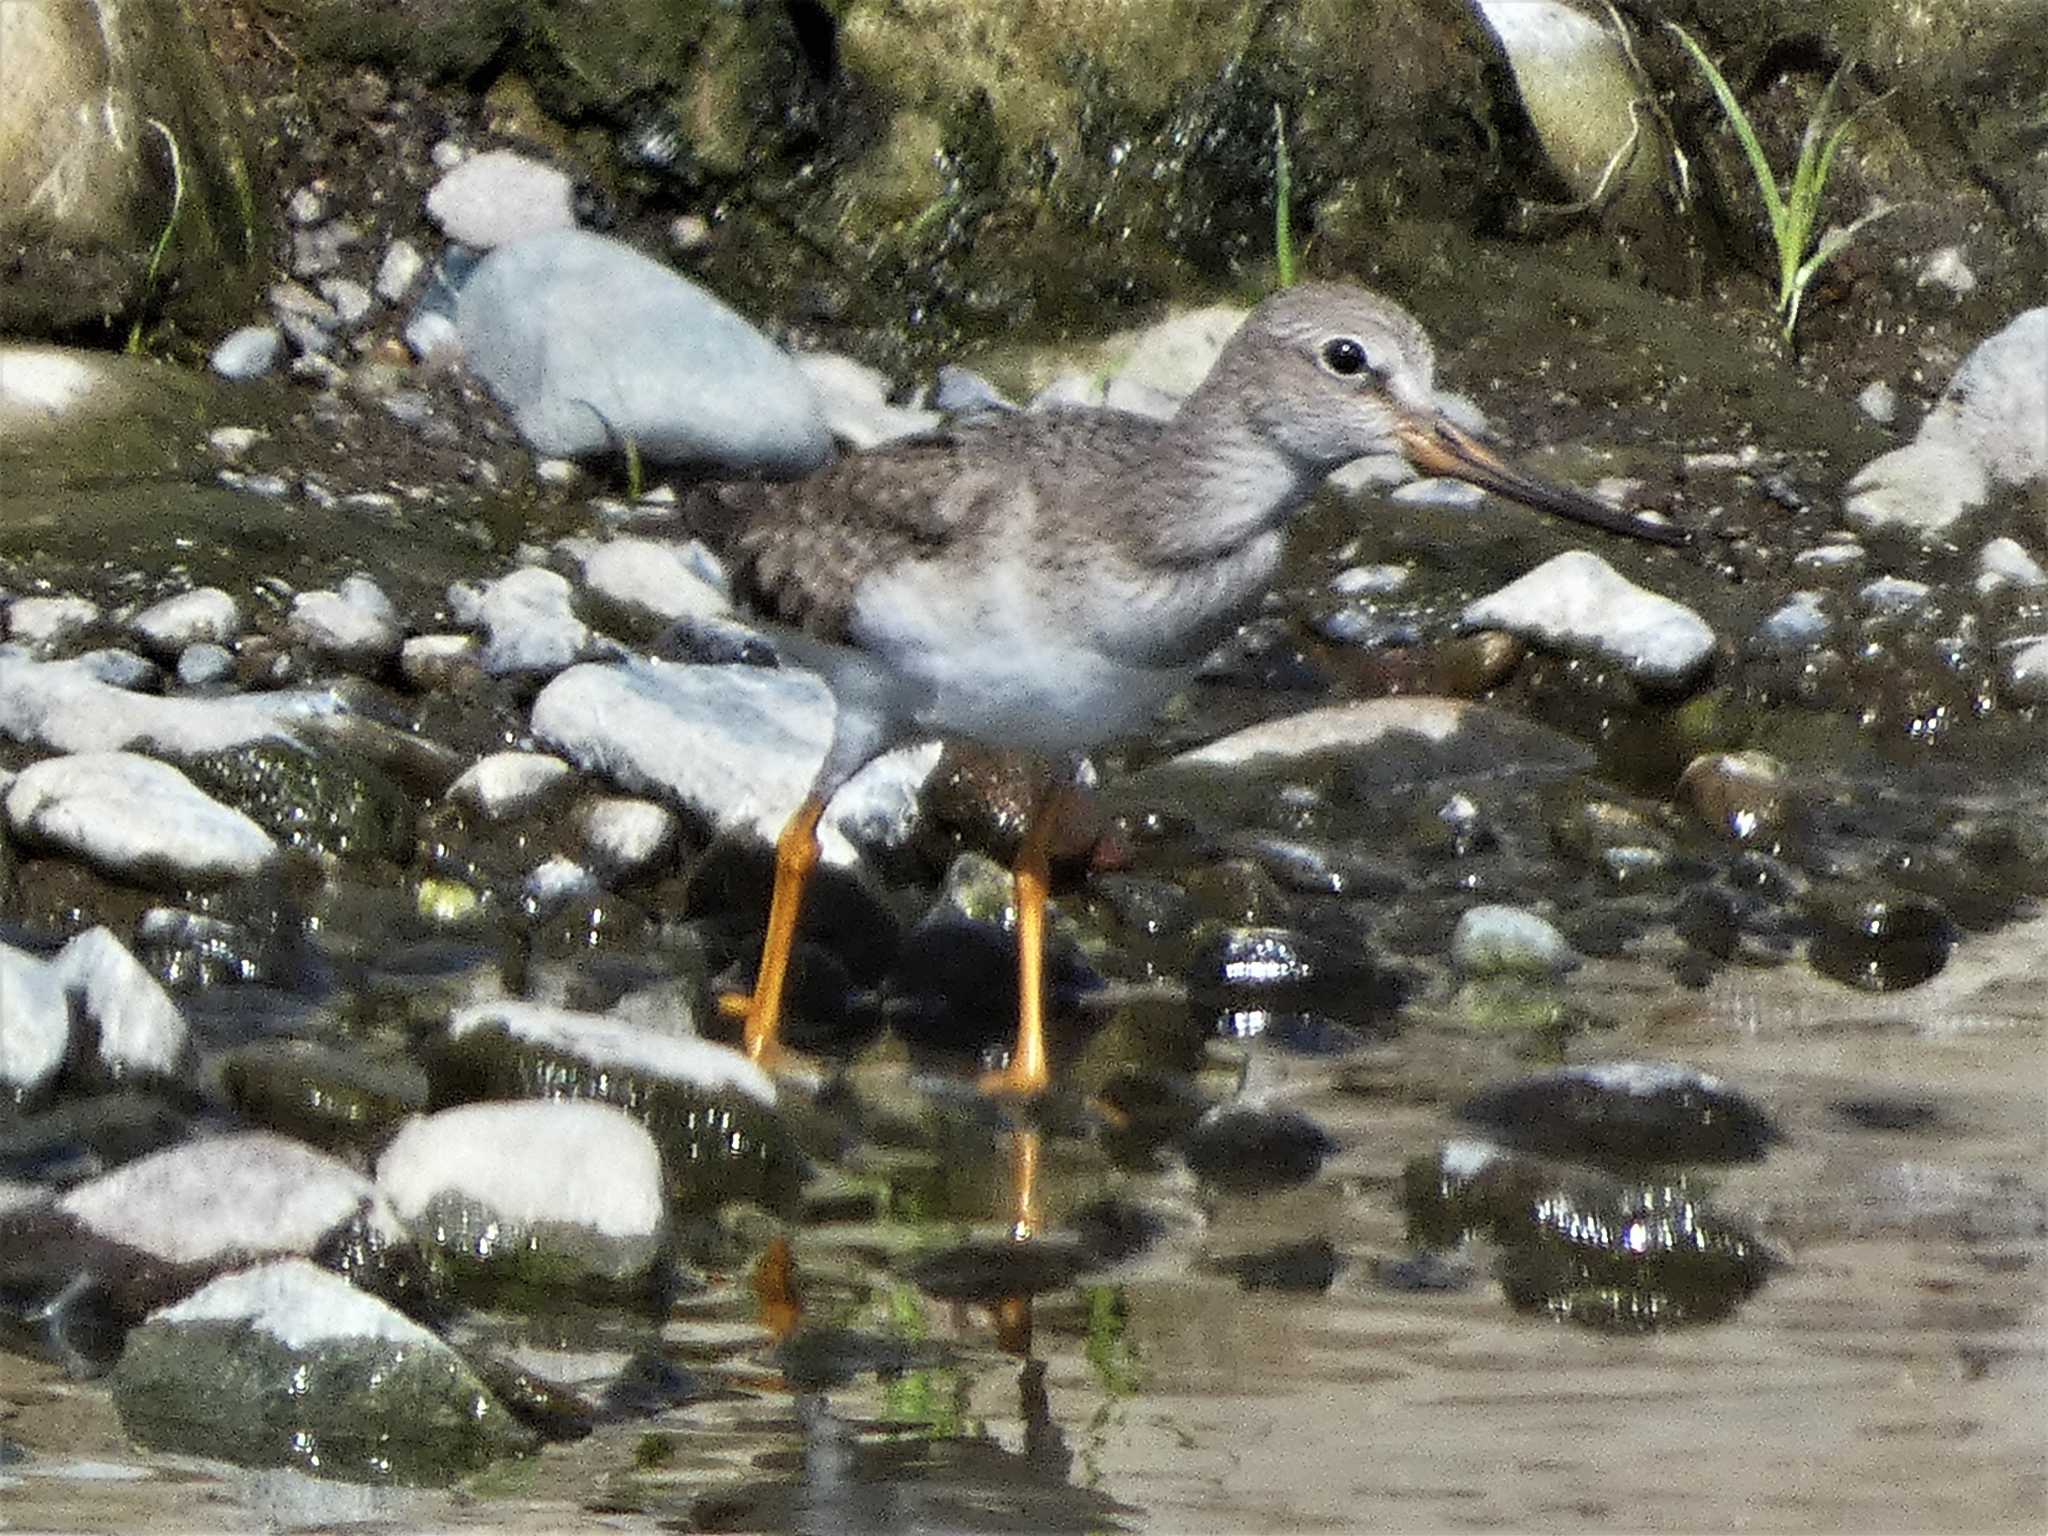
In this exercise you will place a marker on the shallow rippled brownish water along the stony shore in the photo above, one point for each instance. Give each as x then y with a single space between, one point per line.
1891 1377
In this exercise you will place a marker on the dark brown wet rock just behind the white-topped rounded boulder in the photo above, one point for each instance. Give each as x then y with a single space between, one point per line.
343 1101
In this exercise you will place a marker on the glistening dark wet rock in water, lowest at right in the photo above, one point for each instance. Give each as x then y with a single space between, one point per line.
1603 1252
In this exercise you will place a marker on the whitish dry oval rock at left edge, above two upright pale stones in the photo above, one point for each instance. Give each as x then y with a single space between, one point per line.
134 818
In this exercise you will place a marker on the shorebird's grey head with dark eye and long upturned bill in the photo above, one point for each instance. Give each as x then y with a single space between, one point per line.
1334 374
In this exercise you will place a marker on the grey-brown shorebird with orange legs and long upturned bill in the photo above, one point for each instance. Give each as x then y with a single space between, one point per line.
1050 581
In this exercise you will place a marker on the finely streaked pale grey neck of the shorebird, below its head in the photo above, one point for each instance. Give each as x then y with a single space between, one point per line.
1215 484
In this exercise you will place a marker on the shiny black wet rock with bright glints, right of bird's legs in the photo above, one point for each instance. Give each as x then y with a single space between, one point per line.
1289 982
